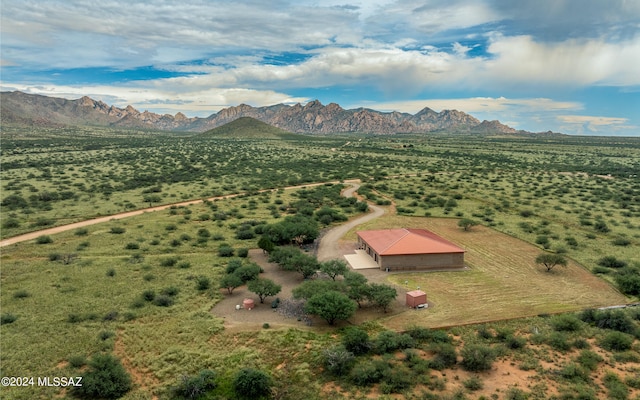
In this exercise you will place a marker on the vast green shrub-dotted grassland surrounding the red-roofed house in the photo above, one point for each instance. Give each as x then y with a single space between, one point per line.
80 293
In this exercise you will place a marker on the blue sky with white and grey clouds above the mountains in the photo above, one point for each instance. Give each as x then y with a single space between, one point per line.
570 66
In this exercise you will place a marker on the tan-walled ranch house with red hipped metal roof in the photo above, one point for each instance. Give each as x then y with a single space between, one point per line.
410 250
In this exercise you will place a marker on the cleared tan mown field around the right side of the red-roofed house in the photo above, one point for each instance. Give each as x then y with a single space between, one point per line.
502 280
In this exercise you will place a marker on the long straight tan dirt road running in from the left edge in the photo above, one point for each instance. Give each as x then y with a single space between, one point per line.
80 224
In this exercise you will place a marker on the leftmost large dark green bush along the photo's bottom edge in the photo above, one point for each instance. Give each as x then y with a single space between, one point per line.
106 378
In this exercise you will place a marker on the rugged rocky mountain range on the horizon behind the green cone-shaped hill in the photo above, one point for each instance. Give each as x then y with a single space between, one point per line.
311 118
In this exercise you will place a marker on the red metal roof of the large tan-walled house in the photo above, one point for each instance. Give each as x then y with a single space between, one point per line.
388 242
